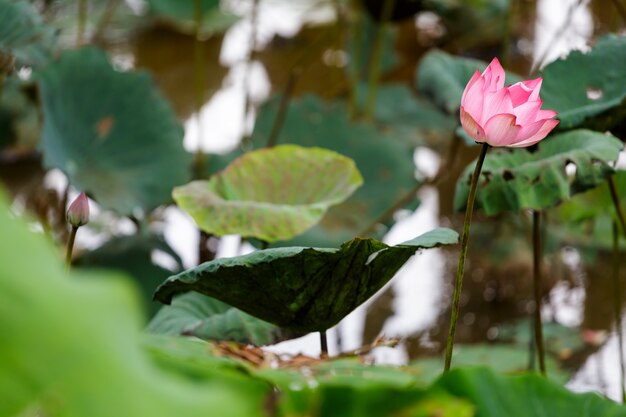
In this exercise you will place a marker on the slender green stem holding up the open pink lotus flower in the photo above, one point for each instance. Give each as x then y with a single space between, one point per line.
456 300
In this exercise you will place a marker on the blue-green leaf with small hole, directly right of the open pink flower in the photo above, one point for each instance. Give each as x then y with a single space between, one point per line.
584 85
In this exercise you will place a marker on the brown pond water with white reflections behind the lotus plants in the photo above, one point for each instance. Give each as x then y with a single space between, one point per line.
415 305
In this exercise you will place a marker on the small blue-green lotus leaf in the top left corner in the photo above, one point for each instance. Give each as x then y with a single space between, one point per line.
23 34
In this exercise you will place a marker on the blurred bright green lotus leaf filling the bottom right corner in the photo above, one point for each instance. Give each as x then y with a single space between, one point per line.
523 396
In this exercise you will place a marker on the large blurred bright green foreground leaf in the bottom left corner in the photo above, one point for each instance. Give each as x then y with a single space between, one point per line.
72 344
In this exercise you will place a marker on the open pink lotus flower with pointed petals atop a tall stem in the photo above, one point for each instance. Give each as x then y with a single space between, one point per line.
504 116
